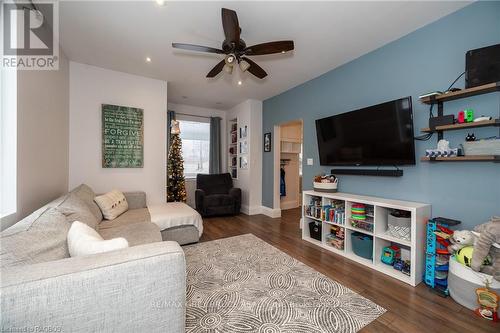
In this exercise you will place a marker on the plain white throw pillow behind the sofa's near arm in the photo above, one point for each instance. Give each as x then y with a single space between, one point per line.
83 240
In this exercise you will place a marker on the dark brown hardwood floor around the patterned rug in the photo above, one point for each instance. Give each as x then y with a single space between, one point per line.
408 309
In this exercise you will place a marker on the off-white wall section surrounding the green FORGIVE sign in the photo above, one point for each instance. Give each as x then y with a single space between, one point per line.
89 88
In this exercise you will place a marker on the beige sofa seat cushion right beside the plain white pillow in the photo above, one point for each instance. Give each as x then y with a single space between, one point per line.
135 233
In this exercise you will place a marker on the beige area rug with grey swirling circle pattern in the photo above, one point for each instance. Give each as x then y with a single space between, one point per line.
242 284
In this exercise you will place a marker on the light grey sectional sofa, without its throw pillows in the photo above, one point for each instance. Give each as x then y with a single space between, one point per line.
138 289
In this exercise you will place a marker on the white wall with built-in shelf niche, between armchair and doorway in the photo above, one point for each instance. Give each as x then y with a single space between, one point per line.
249 113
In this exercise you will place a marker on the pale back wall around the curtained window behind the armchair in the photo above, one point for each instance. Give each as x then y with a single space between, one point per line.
201 112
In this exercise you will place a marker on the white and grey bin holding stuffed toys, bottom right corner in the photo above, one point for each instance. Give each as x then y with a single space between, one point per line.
463 282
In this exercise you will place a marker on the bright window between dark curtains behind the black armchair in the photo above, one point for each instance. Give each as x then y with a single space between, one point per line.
195 137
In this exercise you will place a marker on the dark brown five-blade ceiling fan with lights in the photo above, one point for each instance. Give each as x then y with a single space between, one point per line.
236 50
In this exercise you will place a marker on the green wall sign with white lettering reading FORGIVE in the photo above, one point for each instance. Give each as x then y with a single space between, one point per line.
122 137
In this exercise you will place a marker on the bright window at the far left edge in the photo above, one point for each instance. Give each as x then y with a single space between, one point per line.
8 141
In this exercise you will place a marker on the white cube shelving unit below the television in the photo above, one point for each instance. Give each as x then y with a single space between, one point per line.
414 249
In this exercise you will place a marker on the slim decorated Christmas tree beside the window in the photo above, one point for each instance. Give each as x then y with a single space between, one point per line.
176 187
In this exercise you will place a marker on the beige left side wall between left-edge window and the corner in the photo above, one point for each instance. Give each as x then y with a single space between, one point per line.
42 138
